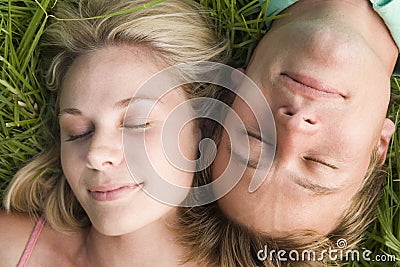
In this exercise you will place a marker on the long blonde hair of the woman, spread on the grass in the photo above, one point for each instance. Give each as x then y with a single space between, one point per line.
176 31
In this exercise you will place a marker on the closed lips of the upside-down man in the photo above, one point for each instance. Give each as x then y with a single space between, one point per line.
310 86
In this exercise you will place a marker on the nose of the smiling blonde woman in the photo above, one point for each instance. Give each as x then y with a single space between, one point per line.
105 151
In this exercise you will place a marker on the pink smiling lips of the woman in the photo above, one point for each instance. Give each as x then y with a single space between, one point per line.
112 192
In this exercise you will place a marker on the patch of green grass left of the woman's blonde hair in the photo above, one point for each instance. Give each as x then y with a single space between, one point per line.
23 98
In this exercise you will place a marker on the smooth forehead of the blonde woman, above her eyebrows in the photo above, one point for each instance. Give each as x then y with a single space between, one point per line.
107 74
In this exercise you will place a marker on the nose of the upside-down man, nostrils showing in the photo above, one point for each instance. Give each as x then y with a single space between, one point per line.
297 121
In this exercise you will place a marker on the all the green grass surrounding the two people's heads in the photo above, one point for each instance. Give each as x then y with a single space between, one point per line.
25 105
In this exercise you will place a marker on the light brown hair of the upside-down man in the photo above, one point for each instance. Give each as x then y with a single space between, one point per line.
211 237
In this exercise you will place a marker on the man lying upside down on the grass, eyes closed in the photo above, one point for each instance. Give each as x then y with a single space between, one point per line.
325 71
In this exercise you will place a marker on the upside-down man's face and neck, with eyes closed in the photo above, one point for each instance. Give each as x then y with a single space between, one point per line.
326 77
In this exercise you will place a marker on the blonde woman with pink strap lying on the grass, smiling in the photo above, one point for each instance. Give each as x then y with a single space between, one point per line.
78 196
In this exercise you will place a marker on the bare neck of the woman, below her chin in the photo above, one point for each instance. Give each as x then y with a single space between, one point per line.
152 245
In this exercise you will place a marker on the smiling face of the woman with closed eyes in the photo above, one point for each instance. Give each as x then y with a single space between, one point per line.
95 93
